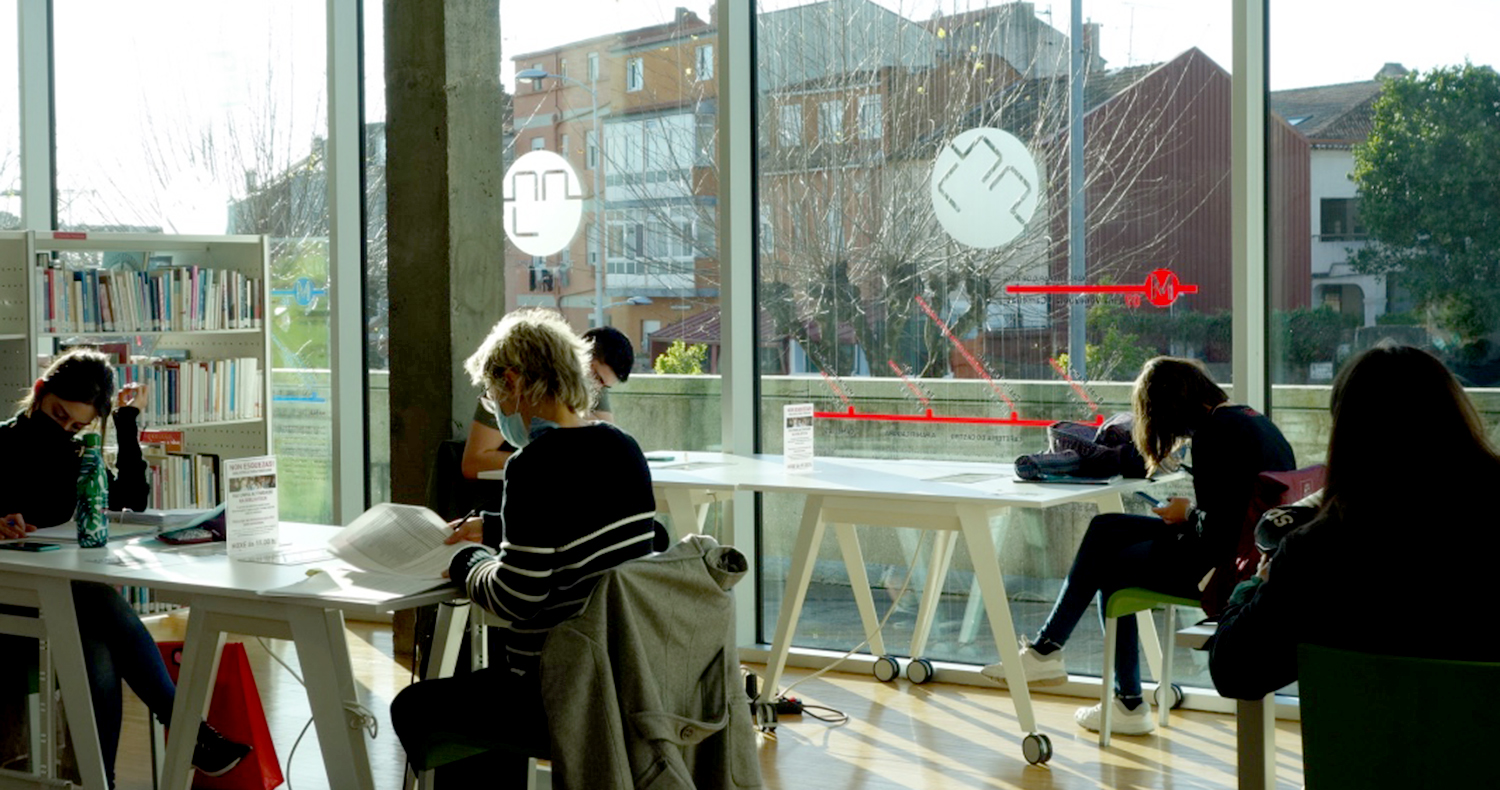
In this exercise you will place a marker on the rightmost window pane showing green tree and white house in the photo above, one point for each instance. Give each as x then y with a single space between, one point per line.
1379 232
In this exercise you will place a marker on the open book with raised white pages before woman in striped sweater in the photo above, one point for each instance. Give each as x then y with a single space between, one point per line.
400 540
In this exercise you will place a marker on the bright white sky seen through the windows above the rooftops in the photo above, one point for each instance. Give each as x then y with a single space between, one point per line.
130 71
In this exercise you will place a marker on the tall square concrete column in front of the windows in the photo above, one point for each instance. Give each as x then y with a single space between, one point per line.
445 226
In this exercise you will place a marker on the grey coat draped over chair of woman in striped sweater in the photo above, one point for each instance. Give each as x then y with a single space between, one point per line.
643 689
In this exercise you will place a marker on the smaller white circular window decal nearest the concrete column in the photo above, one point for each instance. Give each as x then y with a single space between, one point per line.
542 203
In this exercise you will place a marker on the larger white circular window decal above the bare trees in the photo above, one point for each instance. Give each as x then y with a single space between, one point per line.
985 188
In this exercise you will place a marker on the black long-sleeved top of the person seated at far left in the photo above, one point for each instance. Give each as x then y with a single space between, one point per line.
40 470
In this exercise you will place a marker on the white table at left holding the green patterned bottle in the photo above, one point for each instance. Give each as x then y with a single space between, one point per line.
224 597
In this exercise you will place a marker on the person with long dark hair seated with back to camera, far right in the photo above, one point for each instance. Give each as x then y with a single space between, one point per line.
1402 423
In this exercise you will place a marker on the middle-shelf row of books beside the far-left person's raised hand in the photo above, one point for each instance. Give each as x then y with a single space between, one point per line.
190 392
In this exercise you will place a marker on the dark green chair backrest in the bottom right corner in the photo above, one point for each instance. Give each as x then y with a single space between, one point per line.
1375 722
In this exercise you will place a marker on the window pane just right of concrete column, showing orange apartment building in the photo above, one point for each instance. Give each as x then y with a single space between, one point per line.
644 254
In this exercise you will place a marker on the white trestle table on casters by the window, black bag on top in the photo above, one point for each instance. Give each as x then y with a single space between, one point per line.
913 494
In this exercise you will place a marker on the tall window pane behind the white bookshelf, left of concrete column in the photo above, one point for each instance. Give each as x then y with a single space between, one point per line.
208 119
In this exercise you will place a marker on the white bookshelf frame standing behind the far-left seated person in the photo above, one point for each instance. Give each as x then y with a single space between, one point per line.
23 317
